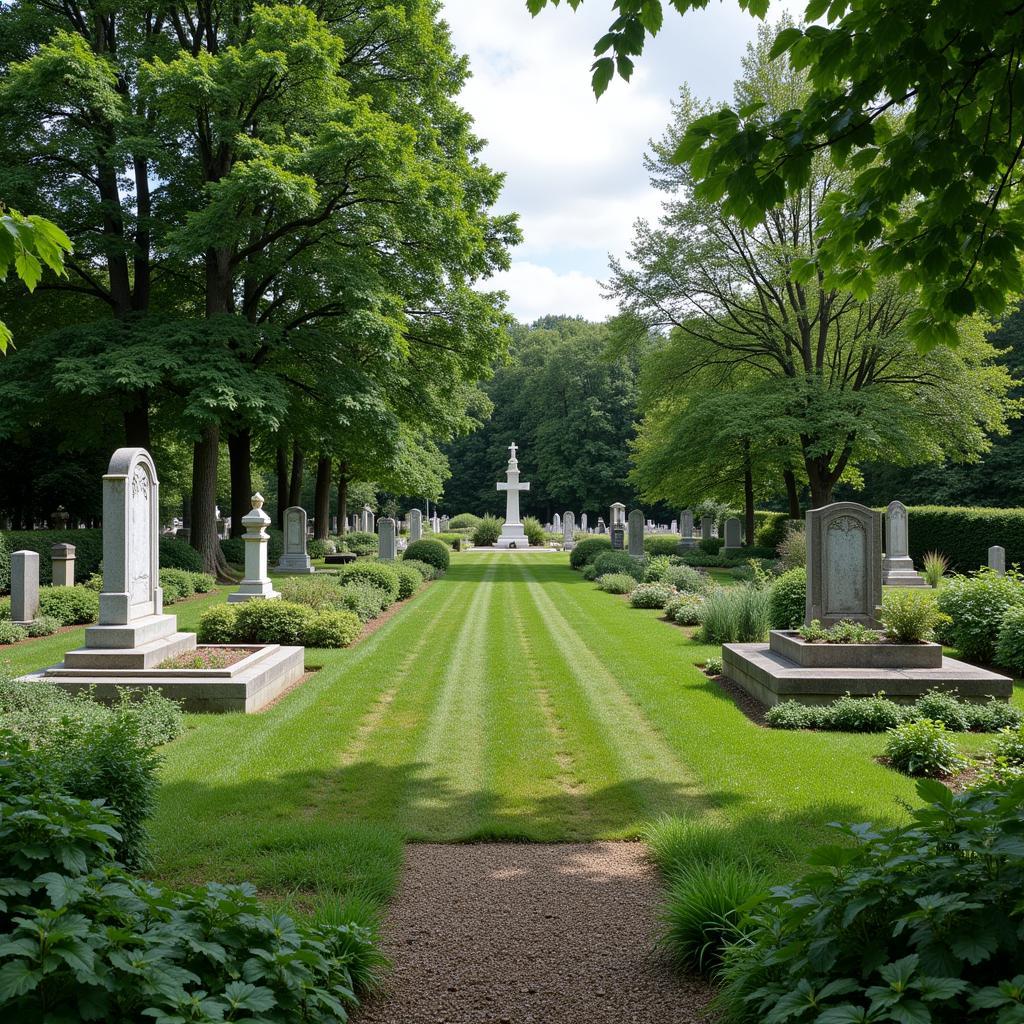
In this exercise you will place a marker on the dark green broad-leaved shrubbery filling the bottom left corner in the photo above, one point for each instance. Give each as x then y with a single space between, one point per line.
120 949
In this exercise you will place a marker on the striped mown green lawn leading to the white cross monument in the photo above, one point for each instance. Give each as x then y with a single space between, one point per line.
509 701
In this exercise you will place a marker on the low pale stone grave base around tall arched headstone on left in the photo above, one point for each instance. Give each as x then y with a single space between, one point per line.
248 686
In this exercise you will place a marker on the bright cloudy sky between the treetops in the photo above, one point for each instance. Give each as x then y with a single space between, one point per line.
574 164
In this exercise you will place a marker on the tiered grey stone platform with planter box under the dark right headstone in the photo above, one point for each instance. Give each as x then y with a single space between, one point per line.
790 669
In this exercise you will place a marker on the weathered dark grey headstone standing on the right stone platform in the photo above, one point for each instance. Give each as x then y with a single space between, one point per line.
844 565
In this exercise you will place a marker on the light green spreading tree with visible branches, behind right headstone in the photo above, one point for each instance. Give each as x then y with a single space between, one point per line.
837 379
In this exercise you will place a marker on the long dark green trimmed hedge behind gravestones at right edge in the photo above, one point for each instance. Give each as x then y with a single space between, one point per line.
965 535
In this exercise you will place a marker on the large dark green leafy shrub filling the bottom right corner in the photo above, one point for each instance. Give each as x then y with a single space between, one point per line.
908 924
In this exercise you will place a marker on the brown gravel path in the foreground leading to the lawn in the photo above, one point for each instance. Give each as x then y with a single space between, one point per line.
557 934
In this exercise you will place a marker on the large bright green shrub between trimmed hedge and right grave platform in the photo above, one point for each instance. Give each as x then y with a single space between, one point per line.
976 606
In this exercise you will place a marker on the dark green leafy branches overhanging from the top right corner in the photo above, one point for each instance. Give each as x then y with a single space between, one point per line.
920 102
